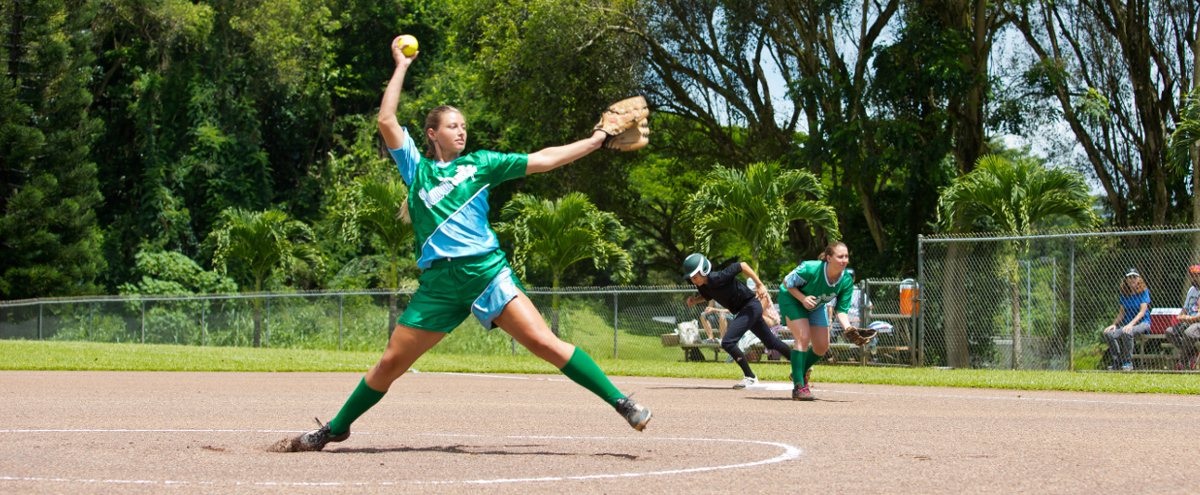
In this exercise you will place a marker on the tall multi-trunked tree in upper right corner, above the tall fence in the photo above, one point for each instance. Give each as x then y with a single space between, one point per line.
1117 70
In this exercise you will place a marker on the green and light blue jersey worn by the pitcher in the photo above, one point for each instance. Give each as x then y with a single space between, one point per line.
448 201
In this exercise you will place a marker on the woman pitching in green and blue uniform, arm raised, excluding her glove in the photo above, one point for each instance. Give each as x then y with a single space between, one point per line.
465 271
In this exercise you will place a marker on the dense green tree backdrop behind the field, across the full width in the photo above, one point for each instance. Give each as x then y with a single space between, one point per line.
137 128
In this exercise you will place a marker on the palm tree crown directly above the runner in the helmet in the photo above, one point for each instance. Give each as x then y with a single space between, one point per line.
758 205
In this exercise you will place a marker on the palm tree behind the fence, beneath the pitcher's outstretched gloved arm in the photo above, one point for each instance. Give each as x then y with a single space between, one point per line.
560 234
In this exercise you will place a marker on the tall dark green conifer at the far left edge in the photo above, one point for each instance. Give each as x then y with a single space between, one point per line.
49 193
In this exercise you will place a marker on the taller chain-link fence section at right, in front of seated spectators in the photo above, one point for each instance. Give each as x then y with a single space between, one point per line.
1042 302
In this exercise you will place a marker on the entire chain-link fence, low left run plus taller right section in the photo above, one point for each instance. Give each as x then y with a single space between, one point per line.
1031 302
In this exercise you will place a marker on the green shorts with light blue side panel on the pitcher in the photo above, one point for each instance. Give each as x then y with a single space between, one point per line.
453 290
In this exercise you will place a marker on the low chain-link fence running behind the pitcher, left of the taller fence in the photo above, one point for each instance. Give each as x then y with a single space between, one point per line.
616 323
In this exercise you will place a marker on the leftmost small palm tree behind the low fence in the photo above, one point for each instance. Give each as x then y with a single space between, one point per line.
262 242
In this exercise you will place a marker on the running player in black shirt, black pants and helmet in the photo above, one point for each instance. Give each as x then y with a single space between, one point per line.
725 288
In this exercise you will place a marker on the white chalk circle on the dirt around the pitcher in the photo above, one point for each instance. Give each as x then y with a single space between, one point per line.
790 454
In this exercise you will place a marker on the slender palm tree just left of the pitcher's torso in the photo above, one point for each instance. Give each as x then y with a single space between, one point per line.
374 207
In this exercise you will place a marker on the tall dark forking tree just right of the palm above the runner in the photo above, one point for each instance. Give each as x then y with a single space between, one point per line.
826 51
